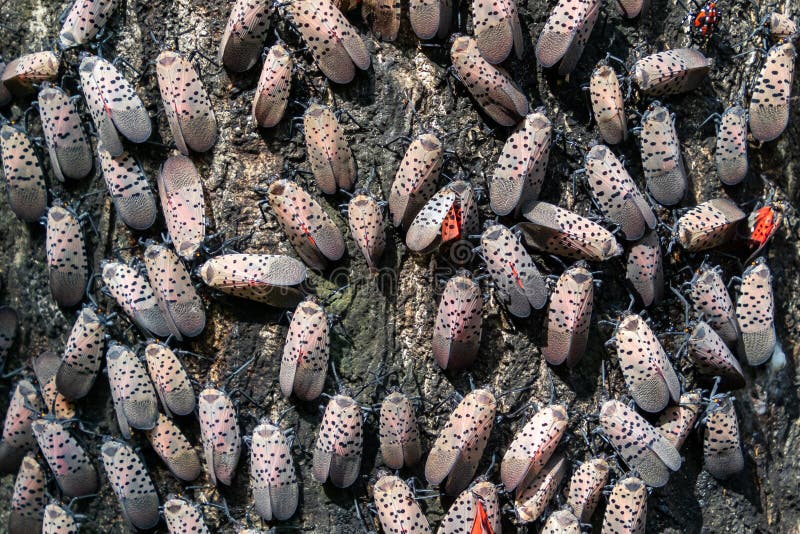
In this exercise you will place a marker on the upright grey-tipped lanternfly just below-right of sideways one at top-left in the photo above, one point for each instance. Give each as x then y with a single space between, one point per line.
69 150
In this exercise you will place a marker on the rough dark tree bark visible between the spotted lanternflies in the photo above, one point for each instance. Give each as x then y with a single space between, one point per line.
389 319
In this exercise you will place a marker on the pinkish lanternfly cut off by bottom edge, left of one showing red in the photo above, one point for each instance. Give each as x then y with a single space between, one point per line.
398 511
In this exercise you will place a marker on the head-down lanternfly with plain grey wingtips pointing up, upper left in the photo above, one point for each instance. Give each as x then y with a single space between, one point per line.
180 189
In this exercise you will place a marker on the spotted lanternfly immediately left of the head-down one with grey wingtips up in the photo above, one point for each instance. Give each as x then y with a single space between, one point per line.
128 188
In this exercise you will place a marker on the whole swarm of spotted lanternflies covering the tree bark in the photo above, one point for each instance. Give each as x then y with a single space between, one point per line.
43 442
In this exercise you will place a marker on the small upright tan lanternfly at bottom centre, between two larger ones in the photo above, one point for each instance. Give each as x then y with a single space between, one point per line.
399 435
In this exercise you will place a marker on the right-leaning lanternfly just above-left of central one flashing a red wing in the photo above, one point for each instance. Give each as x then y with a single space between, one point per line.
415 181
